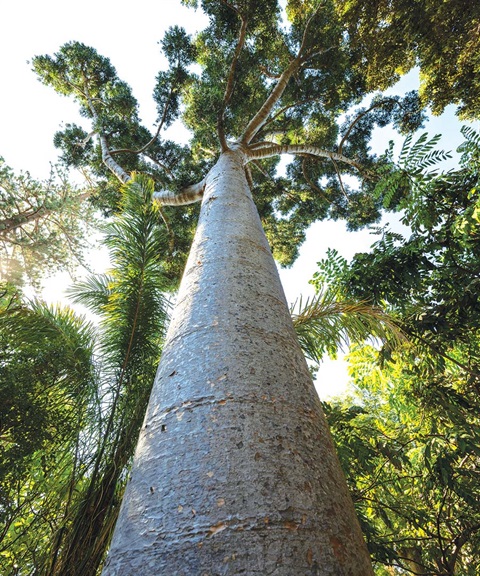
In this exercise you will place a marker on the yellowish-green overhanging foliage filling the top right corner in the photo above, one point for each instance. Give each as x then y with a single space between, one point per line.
391 37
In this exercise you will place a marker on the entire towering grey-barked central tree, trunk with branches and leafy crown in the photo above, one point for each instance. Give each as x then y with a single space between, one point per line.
235 469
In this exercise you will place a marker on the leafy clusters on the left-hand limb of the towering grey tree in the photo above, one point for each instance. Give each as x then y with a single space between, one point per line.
113 127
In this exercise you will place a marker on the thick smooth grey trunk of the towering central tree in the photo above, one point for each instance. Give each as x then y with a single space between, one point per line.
235 471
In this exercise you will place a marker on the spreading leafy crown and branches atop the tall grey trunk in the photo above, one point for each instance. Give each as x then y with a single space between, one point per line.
298 76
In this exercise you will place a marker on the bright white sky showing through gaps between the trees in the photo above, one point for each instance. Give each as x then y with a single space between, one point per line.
128 34
